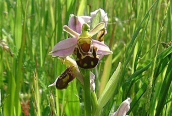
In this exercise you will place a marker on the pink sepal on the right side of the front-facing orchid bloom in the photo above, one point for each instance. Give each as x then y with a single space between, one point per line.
102 48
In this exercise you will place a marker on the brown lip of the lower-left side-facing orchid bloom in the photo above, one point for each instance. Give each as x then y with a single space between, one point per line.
64 79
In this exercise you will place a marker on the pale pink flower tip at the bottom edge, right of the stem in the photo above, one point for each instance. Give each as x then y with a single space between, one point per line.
123 108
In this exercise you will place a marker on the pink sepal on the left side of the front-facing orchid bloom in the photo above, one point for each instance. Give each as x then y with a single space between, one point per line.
64 48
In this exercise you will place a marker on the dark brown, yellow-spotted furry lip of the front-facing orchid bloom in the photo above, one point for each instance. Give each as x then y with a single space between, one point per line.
89 60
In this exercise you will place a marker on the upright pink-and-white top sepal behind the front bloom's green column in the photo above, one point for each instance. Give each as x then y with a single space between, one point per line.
76 22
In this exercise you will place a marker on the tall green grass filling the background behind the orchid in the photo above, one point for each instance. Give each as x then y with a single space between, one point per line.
136 29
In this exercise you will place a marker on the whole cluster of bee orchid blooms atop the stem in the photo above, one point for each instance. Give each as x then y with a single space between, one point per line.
82 44
